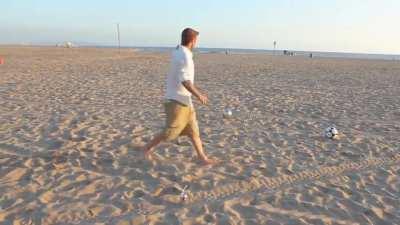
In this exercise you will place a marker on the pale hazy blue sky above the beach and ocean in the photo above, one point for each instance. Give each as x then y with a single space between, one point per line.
370 26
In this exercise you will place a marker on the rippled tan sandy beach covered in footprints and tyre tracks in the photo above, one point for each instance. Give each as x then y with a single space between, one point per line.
72 121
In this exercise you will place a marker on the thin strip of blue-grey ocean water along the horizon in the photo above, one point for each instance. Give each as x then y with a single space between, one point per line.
279 52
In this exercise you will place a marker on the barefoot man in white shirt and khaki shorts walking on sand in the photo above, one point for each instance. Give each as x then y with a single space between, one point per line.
181 116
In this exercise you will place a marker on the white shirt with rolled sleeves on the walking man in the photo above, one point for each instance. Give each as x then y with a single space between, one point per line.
181 69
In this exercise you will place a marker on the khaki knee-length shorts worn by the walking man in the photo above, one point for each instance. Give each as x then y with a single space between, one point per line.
181 120
